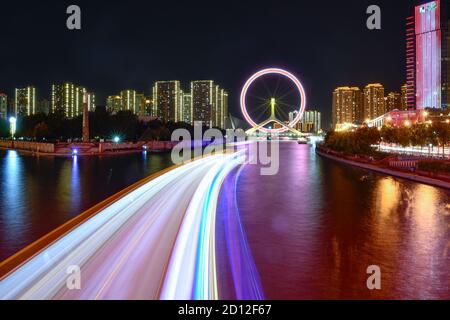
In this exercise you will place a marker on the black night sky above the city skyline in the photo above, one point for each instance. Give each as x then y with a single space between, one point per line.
131 44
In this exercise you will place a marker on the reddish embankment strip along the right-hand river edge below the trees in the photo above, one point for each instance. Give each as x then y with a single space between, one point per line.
414 176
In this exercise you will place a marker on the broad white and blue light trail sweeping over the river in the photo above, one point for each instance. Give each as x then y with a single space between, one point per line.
158 241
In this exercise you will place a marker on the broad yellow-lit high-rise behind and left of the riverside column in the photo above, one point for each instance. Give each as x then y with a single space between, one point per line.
68 99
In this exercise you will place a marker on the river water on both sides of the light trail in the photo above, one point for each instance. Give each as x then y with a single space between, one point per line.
311 231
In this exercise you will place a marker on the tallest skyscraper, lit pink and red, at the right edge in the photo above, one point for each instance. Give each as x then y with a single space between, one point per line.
428 56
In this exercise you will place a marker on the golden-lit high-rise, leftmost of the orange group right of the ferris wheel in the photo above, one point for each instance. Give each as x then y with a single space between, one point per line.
347 106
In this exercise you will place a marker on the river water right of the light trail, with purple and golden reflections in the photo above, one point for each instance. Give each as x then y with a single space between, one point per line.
314 228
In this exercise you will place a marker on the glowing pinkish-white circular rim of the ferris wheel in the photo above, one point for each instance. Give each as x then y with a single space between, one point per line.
282 72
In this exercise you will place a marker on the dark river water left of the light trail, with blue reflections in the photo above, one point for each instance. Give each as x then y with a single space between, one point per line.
37 194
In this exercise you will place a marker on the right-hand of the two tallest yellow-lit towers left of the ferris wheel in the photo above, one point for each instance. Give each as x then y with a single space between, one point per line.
203 101
